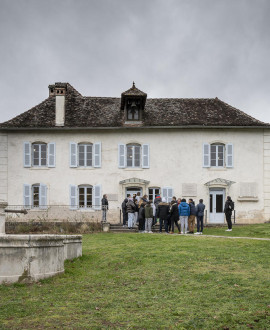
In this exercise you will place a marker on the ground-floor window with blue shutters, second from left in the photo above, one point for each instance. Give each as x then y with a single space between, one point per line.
85 196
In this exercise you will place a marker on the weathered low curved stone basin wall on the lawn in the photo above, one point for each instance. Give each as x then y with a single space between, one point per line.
26 258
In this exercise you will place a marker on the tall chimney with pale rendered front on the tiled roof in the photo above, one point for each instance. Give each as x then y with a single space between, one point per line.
59 91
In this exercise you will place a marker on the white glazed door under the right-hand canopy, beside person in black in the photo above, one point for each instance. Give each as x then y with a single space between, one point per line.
217 197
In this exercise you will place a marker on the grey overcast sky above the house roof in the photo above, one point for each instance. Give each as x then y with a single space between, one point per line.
170 48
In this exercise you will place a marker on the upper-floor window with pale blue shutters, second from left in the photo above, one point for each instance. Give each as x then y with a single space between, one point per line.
85 154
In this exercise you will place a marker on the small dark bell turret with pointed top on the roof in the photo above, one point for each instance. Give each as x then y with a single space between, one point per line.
133 103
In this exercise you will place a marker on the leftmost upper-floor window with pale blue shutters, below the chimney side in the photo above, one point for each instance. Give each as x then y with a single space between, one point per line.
39 154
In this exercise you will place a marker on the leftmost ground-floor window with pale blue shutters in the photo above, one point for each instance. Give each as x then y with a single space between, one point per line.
35 196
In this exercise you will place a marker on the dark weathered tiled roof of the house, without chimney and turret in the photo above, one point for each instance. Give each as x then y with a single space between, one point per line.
106 112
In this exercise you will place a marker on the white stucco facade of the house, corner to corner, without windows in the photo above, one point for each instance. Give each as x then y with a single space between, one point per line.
175 161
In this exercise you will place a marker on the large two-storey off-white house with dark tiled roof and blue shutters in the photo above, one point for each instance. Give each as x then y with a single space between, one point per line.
70 150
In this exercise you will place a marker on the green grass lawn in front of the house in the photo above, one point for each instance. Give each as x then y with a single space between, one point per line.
150 282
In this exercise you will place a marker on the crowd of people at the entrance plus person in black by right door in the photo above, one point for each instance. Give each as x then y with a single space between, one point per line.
140 211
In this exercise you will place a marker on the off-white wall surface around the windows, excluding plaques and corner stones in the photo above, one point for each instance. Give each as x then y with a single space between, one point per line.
175 158
